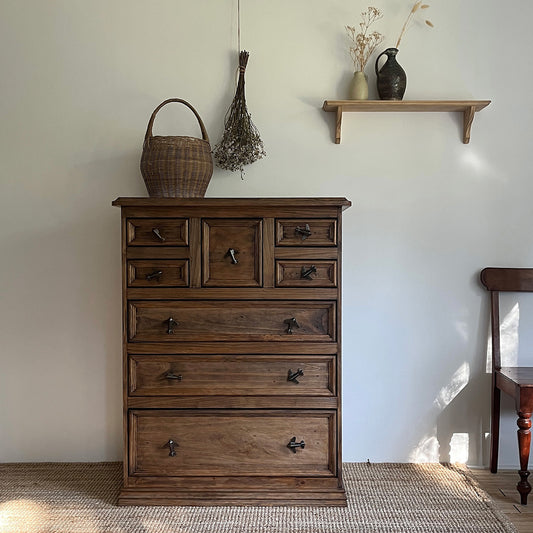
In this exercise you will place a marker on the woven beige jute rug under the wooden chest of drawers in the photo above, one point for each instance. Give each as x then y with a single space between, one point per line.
382 498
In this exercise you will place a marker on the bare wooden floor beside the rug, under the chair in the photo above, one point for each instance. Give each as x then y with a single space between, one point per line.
501 487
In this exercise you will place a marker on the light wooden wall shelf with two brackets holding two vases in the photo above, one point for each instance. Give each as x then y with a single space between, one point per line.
467 107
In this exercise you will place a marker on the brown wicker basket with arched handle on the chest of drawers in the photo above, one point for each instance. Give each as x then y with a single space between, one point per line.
178 167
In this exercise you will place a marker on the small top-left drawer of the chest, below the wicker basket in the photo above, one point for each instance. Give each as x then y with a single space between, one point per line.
157 232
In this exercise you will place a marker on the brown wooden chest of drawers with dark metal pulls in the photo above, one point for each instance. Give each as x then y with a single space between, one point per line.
231 359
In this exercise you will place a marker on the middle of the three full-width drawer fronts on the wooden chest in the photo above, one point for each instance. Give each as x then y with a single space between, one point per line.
246 375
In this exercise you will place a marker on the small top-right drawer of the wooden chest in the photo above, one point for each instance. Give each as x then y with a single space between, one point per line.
306 232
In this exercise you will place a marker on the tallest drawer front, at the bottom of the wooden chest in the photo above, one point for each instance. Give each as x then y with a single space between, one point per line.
234 443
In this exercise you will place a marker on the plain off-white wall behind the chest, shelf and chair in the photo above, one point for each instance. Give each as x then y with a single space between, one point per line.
79 81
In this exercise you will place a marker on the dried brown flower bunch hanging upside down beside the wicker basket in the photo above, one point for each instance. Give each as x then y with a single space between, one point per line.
240 144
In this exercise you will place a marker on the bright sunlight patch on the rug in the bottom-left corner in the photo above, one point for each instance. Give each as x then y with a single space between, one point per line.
23 515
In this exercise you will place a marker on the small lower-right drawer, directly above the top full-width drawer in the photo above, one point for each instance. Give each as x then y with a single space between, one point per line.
306 273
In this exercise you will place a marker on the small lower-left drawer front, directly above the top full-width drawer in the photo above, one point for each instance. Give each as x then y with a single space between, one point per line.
158 273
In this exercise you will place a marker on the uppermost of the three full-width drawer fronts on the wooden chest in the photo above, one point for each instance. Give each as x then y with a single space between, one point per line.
157 321
